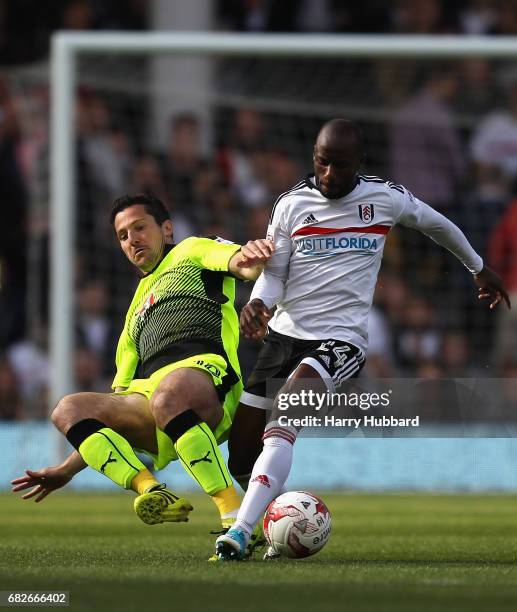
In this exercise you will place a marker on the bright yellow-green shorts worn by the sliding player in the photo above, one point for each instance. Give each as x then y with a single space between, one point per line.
213 364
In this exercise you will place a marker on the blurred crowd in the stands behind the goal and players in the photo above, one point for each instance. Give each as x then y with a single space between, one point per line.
449 134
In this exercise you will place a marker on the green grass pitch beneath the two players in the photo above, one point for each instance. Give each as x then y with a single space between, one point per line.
386 553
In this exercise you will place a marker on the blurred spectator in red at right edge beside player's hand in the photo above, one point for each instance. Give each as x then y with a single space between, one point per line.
502 256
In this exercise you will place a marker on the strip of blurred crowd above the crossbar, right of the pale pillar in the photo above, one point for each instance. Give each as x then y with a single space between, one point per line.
371 16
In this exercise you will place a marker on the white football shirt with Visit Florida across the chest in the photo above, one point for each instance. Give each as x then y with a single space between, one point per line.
328 253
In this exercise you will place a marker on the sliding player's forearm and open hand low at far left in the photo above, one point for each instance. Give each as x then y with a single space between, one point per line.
48 479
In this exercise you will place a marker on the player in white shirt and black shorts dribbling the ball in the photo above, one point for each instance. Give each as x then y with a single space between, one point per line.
329 233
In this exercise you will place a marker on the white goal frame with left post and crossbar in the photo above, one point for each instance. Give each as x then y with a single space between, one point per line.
66 47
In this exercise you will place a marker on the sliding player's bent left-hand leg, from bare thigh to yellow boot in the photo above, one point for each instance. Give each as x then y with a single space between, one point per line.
104 429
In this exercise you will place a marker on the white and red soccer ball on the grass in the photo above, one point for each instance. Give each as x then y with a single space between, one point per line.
297 524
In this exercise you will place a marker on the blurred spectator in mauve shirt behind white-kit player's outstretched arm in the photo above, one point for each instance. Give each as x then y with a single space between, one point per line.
426 158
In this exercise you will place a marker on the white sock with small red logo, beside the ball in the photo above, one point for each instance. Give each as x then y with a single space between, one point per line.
268 476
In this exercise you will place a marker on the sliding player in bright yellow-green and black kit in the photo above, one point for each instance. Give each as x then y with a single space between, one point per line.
178 382
